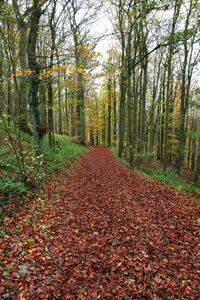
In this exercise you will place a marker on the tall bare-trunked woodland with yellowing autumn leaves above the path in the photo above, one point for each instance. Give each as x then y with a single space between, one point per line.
142 96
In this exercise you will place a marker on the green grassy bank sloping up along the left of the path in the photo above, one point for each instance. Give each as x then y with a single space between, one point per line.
11 184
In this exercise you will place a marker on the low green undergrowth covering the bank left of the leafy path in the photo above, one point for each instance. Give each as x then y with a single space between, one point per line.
18 181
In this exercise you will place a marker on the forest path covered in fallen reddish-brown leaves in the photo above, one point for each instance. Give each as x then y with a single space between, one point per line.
105 232
